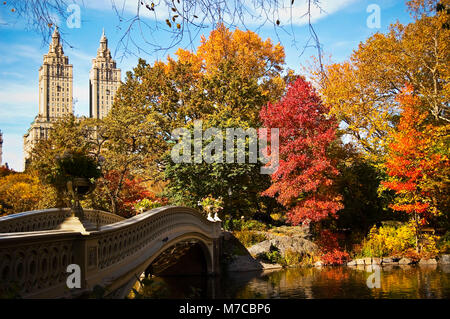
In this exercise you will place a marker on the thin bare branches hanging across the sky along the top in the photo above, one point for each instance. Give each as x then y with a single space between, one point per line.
177 18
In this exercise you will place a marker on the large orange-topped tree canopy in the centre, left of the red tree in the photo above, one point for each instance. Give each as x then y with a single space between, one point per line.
206 84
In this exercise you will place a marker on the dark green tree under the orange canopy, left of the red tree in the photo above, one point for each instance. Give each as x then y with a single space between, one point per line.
240 184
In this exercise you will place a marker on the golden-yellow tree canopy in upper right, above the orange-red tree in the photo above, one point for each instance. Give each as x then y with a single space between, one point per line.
361 91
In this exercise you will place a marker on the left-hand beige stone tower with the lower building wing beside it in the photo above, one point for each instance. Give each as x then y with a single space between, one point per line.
55 93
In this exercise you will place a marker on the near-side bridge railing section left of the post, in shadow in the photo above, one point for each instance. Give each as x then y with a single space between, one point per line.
36 261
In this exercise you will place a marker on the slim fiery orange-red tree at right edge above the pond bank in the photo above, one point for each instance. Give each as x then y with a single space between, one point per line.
418 164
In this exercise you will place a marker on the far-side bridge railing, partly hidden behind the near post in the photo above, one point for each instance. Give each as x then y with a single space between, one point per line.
47 219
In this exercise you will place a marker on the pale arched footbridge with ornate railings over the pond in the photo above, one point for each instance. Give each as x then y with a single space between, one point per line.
112 254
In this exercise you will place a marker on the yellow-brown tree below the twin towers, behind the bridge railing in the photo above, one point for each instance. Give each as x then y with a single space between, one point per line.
118 142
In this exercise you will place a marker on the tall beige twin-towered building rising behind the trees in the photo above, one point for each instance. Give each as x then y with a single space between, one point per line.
56 89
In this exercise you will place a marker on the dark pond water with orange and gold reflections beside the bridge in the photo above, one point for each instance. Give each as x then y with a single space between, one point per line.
431 281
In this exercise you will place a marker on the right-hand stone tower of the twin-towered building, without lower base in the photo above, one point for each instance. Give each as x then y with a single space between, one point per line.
104 80
